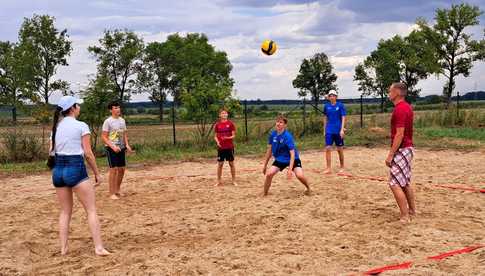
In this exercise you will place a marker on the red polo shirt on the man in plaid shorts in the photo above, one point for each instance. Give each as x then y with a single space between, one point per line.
402 116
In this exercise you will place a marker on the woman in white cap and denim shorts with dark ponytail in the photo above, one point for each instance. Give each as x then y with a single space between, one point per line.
71 144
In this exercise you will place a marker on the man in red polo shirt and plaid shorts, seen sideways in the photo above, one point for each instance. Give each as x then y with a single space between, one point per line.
401 153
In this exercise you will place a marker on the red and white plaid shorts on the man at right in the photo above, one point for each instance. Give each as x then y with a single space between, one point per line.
400 173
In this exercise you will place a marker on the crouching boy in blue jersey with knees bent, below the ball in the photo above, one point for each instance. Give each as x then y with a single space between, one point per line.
281 146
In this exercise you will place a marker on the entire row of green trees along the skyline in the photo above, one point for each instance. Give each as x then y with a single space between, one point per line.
182 66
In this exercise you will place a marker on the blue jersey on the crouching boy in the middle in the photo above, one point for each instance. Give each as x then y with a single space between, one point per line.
281 144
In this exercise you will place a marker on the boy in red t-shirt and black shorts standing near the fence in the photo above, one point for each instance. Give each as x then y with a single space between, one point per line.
225 132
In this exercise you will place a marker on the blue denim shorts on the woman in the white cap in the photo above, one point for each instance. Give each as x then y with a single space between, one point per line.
69 171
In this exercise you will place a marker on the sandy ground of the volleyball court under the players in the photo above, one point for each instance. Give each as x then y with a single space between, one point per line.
171 220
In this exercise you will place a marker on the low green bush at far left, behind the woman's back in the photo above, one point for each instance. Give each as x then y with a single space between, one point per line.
18 146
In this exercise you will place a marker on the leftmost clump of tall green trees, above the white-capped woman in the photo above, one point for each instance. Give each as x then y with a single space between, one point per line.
27 67
